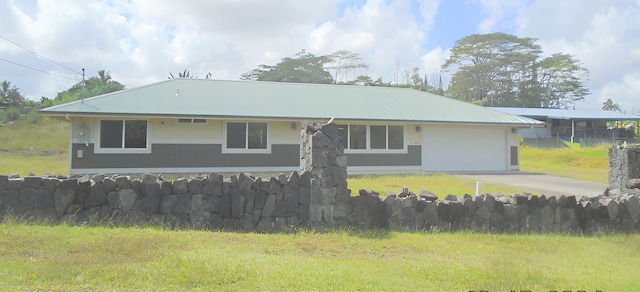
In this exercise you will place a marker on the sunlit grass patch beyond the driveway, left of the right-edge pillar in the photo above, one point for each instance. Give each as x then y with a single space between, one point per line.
588 164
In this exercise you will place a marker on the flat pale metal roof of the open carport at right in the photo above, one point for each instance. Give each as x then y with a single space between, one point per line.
563 114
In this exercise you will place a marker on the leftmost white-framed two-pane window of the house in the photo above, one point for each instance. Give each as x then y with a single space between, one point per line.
123 134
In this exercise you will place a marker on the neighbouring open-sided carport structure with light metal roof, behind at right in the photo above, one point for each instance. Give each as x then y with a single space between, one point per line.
586 127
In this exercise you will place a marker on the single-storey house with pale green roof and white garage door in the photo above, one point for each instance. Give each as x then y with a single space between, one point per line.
202 125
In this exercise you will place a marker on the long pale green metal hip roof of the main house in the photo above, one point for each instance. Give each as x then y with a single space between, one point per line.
276 100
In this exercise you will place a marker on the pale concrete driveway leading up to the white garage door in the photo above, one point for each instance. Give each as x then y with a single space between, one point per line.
540 183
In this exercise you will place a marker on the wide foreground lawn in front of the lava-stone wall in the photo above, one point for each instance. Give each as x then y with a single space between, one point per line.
94 258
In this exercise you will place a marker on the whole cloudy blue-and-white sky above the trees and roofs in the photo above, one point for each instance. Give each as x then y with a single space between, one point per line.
45 44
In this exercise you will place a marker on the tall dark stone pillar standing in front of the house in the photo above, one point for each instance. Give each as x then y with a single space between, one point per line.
322 155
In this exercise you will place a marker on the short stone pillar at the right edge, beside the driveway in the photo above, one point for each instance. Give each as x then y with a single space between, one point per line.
624 168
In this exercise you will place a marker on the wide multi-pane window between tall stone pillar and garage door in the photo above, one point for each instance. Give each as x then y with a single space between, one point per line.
374 137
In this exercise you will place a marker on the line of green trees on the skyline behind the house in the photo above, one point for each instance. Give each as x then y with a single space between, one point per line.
494 69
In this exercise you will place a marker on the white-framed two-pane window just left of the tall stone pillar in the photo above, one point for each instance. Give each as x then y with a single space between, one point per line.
247 135
